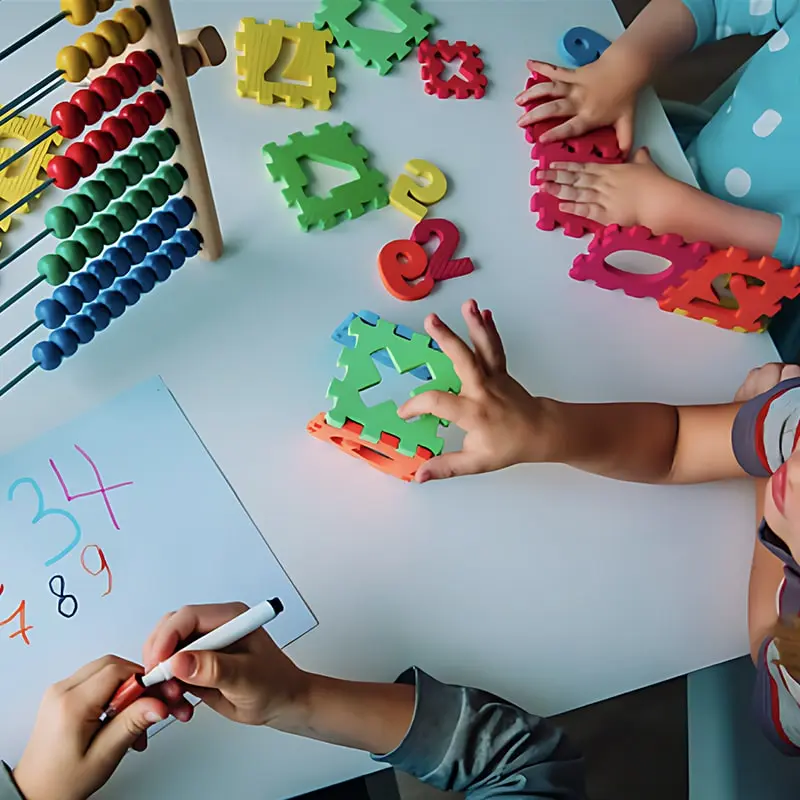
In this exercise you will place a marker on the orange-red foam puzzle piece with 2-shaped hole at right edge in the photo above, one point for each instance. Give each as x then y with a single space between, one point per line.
758 286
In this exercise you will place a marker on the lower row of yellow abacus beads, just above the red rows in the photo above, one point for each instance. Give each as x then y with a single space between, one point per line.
109 40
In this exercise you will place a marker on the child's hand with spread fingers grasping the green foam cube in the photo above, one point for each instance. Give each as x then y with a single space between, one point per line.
504 424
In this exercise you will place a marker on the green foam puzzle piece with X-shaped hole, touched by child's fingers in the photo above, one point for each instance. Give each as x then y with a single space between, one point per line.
361 373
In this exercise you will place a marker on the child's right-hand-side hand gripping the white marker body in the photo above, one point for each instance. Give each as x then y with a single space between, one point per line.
251 682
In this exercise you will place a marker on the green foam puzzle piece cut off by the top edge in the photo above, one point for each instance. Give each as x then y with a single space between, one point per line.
373 47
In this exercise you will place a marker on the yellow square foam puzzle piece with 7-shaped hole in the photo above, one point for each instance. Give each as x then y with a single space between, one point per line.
260 46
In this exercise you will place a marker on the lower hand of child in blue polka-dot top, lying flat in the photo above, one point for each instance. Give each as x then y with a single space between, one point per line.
638 193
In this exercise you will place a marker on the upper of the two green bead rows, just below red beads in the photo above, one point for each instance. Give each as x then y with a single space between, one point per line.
110 183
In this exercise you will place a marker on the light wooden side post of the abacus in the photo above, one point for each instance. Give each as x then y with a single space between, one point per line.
162 39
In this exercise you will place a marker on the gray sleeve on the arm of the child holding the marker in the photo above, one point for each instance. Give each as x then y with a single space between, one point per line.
466 740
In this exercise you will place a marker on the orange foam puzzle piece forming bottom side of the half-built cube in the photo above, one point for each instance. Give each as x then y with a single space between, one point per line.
382 455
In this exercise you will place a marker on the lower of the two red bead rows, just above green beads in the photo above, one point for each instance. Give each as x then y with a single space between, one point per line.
116 133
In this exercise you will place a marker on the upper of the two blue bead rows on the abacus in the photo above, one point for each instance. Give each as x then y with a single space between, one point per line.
116 263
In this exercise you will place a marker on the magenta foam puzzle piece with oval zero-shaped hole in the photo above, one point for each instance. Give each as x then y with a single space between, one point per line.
684 257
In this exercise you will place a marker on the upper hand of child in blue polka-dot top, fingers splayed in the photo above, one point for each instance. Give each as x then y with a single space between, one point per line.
587 98
